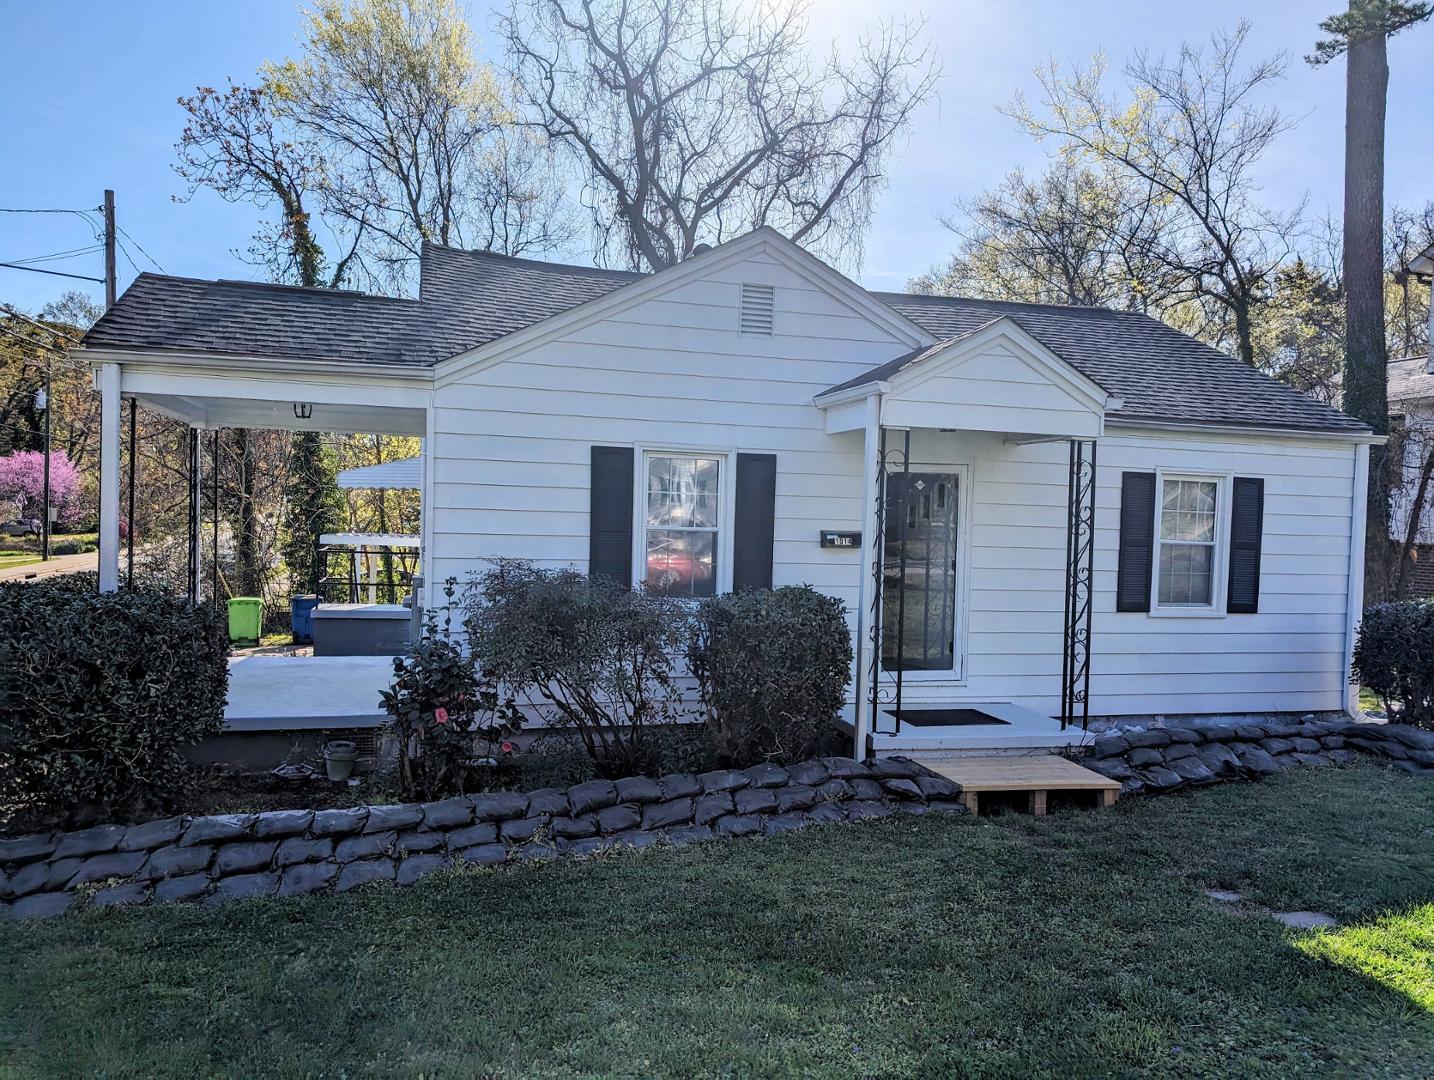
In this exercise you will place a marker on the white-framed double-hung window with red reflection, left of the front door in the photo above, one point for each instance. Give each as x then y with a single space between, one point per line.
682 524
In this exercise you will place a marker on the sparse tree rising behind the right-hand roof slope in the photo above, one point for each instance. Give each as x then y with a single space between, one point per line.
1194 133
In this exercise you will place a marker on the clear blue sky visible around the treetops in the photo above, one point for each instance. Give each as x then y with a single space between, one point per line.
88 101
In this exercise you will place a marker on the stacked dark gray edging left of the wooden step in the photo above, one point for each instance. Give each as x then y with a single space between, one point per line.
296 853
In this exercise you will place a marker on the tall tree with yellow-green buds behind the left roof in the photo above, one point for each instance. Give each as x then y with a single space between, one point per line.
417 137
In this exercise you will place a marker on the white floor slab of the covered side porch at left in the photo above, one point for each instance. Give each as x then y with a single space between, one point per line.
306 693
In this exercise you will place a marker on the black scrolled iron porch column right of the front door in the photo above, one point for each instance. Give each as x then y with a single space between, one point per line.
1081 546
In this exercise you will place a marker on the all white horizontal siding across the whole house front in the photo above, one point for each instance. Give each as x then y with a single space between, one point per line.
511 460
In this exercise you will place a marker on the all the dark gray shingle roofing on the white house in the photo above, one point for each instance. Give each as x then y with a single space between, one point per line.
468 299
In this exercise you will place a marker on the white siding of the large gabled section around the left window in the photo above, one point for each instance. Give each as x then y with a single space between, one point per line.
511 453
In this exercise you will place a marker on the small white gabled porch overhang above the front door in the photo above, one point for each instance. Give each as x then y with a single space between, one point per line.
994 379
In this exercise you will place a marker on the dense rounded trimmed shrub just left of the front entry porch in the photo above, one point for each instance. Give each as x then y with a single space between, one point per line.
772 668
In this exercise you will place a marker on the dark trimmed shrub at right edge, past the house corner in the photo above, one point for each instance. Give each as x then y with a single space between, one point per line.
1395 659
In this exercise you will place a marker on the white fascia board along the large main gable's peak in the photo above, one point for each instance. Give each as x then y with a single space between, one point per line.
764 240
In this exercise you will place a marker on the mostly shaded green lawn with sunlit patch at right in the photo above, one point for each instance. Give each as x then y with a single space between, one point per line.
1078 944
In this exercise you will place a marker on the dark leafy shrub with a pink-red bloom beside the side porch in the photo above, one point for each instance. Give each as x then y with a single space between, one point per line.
450 722
